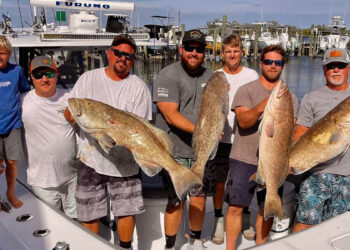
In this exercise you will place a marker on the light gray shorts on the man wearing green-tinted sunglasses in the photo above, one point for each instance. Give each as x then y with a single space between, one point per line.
61 197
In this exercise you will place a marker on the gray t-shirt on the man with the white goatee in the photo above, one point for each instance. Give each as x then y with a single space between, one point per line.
315 105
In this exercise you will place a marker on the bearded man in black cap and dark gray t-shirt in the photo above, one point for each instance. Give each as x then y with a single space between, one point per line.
177 91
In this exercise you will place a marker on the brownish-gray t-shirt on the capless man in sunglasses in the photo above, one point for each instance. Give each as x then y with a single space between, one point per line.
246 142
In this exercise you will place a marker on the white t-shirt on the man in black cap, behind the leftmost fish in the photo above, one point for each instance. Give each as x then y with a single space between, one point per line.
130 94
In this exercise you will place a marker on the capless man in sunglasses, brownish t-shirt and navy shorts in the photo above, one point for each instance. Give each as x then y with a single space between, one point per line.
248 104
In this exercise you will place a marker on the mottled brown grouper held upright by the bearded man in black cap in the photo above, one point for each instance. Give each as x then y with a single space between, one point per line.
212 115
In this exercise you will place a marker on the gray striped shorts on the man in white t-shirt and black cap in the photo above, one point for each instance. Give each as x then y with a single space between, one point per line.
93 189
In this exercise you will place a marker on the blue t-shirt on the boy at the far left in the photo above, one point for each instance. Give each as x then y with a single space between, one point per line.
12 83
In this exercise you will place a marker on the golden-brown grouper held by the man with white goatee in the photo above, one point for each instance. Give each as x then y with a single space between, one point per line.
326 139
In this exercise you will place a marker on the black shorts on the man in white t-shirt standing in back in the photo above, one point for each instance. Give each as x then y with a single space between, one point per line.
222 160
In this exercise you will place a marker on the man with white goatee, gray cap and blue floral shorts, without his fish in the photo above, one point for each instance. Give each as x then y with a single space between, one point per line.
325 193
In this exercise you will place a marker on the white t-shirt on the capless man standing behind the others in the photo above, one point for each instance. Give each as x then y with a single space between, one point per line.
235 80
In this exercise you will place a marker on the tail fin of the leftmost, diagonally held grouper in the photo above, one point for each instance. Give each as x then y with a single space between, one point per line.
183 180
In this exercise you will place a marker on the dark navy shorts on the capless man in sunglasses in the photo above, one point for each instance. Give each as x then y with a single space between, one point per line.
239 191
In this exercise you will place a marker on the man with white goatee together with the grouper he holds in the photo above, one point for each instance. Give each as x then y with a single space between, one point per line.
326 192
